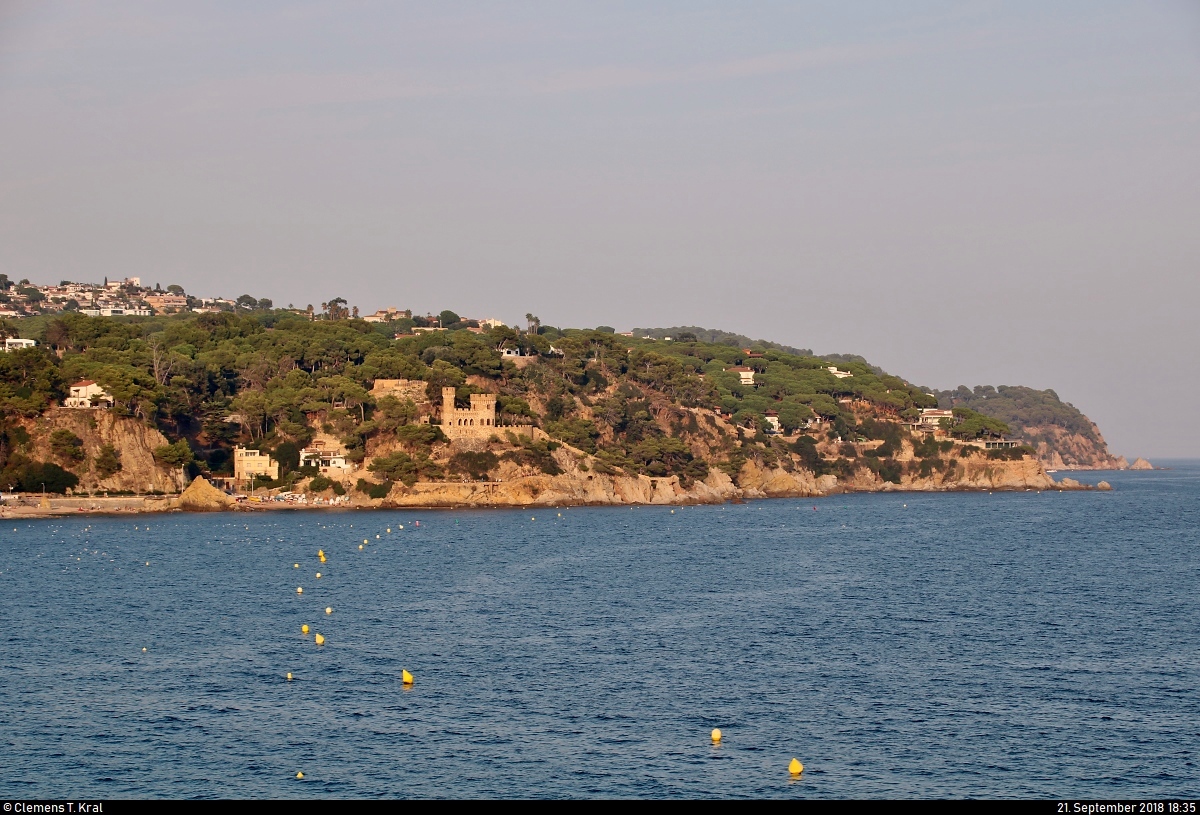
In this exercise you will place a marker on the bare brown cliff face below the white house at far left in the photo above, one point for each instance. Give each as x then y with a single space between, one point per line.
134 441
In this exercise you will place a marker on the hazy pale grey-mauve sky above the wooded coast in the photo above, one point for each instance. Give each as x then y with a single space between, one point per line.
964 194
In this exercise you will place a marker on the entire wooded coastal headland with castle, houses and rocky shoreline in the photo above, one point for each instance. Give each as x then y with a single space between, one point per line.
116 398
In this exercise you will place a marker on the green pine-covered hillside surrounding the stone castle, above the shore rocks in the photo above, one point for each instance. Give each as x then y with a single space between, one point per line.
277 380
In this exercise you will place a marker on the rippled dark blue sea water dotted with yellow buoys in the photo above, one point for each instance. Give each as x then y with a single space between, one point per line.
967 645
